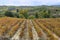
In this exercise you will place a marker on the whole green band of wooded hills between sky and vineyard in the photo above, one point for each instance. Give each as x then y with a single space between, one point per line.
30 12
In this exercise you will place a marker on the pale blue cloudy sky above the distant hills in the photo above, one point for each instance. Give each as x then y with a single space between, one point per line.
29 2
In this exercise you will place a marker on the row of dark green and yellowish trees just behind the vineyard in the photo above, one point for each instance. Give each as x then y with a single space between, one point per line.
43 13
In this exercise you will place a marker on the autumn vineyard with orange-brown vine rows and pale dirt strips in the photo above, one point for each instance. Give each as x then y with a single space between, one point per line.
29 29
